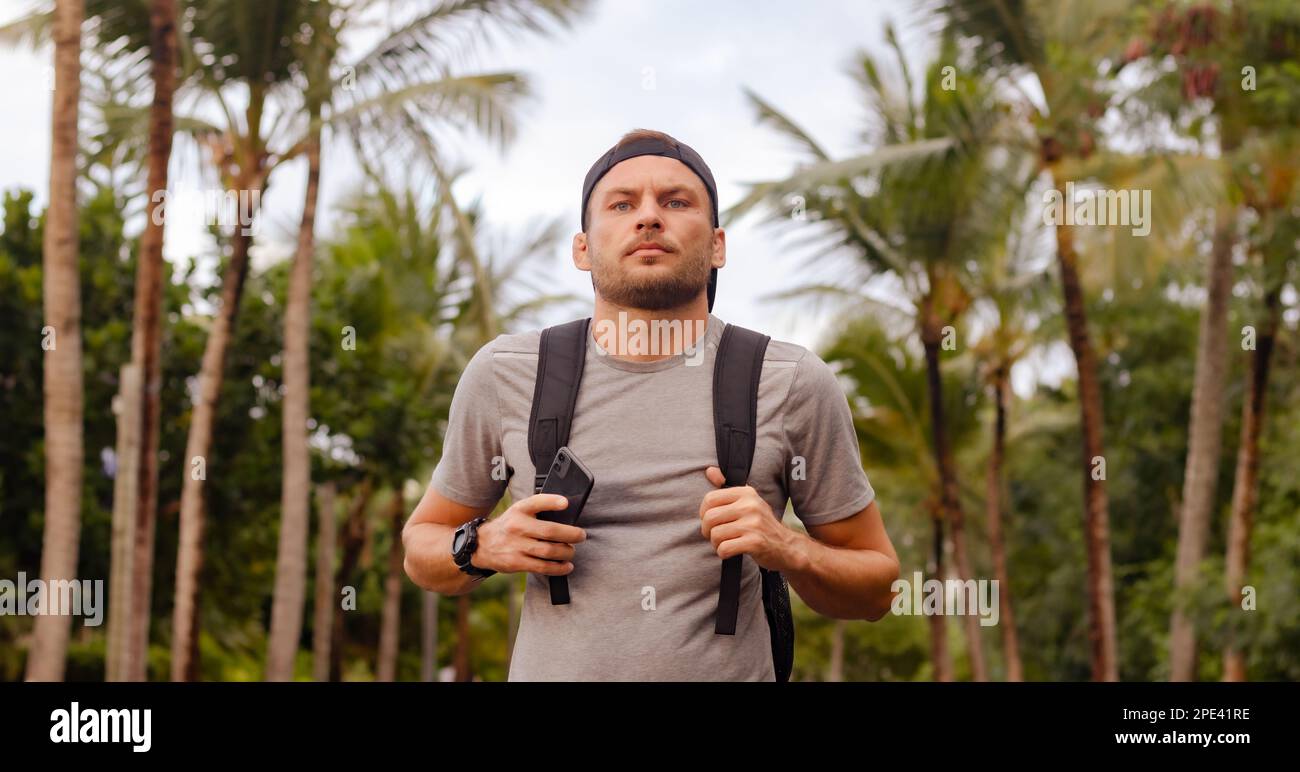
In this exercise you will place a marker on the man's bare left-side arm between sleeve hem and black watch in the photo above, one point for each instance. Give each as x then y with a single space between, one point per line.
427 541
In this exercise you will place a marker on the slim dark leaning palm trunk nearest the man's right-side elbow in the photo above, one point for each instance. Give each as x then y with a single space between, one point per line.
950 497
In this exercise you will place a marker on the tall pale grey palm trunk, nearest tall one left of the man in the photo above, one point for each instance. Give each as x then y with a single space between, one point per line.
287 615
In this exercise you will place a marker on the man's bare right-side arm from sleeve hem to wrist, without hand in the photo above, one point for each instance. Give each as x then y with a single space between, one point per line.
846 570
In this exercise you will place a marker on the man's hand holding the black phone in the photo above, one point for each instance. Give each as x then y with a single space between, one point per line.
518 541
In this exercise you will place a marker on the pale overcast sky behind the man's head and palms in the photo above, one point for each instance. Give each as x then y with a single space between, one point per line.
675 66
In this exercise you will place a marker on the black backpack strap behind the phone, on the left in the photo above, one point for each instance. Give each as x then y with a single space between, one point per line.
561 357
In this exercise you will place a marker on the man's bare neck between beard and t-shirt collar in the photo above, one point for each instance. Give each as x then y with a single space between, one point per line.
638 335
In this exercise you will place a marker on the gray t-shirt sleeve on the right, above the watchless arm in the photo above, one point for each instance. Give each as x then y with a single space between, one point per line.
824 470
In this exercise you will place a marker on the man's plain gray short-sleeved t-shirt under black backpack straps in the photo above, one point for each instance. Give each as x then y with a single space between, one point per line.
644 587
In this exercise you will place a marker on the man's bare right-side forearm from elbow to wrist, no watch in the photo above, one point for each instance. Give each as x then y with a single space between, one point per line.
840 583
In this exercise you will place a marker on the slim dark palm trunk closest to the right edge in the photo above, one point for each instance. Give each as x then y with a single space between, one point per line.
1246 485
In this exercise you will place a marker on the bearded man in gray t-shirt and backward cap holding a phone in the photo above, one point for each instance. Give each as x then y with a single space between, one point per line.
643 562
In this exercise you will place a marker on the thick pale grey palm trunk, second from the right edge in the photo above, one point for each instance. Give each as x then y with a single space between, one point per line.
1206 435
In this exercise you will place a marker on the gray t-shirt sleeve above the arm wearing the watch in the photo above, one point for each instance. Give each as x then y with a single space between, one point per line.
473 469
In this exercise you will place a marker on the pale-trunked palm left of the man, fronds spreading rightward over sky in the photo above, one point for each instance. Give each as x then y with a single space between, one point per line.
397 89
